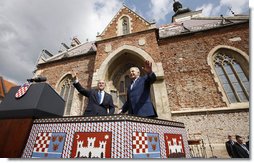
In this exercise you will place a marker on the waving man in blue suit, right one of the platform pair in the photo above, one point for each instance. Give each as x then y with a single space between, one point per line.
138 95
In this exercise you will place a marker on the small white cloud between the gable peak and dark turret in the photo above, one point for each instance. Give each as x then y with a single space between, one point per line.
159 9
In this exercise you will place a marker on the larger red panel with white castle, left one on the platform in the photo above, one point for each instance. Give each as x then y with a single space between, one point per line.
92 145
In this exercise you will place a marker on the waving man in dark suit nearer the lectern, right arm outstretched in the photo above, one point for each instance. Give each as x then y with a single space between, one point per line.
99 101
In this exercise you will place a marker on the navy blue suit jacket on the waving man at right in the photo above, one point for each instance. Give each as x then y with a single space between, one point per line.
138 98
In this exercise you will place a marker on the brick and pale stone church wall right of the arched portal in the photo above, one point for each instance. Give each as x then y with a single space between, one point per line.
191 86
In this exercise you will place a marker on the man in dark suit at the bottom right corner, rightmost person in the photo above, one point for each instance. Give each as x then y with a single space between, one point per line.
239 149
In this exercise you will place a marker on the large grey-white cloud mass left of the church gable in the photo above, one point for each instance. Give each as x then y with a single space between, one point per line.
28 26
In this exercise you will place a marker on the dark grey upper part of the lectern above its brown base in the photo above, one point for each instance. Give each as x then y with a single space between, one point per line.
41 100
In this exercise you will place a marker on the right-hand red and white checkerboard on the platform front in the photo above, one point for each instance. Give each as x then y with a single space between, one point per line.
140 144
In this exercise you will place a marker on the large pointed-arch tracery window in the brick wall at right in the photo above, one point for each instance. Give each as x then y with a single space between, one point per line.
233 79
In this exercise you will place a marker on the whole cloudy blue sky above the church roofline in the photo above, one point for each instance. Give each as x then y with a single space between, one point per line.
29 26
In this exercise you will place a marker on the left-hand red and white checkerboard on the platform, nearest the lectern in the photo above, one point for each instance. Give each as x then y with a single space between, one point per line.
42 142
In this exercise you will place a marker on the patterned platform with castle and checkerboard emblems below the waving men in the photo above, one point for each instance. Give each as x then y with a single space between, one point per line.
116 136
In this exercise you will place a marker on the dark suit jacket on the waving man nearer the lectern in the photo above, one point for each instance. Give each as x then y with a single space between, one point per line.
93 106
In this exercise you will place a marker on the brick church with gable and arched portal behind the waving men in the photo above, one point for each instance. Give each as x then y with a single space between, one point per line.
201 63
